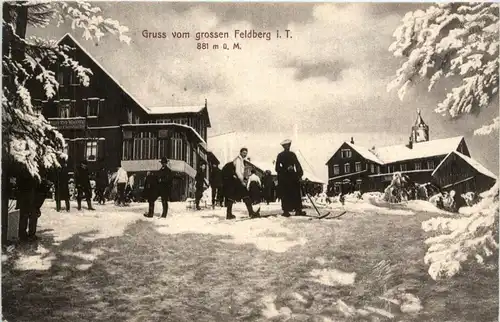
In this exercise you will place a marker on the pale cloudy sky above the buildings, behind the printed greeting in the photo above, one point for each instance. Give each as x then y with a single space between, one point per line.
328 80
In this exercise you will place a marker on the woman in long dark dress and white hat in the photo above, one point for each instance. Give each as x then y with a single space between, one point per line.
289 173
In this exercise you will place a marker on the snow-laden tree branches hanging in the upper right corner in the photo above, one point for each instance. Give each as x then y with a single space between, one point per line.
455 41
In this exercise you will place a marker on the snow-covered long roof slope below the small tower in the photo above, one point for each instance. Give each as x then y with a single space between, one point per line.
395 153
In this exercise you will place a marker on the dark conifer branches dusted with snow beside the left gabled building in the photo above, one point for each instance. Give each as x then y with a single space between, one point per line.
29 141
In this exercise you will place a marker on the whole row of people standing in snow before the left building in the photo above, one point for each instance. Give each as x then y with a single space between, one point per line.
229 186
